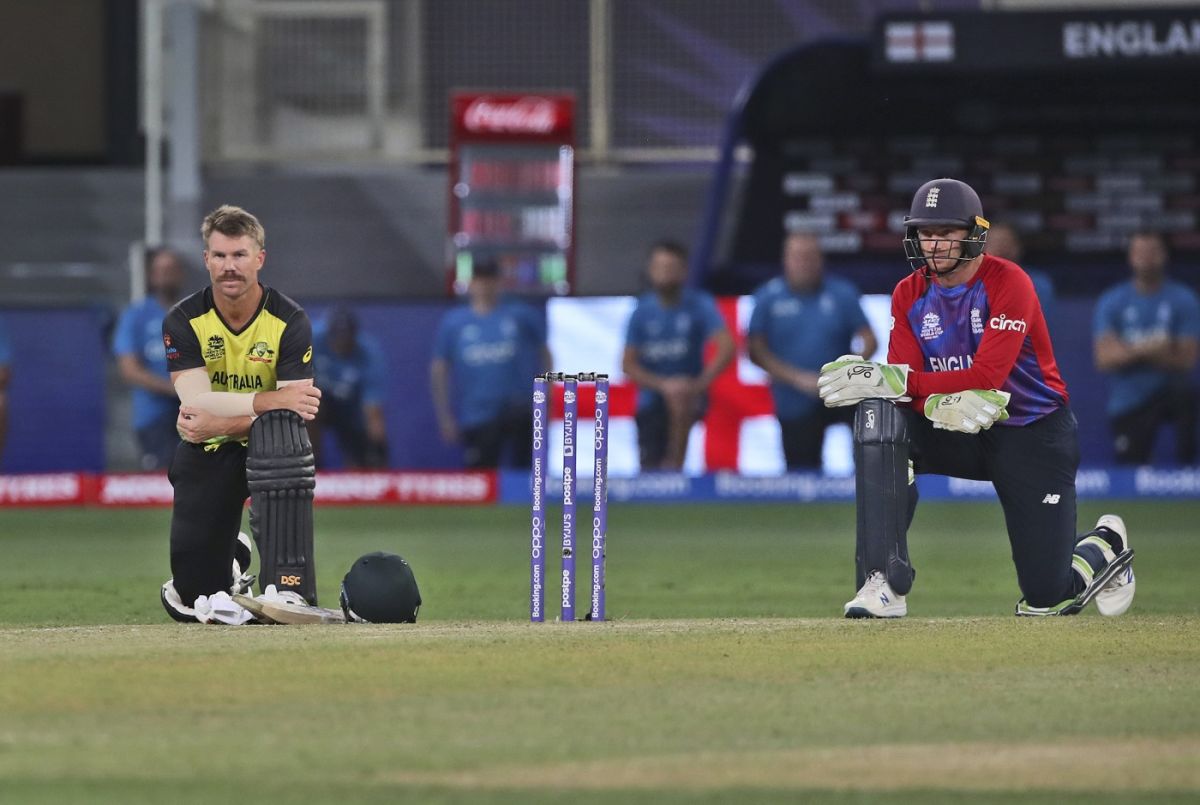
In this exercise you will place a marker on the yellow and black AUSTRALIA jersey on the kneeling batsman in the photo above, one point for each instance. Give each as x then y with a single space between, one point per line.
275 345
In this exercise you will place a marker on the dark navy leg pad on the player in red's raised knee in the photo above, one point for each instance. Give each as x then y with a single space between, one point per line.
881 488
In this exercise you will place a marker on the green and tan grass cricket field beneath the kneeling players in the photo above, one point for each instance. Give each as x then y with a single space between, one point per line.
727 674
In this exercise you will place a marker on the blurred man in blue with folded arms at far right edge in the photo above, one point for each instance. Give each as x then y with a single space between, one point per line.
1147 333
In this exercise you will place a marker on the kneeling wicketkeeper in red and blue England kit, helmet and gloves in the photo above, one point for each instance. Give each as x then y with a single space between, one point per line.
971 391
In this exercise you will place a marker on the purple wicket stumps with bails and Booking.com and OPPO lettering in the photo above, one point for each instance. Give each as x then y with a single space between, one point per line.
542 389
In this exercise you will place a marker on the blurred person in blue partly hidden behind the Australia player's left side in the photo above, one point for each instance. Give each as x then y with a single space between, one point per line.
142 361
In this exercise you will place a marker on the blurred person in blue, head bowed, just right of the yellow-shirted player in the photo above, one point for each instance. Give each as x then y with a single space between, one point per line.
350 368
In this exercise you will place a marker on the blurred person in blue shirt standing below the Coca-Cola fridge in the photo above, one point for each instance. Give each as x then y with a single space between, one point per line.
485 356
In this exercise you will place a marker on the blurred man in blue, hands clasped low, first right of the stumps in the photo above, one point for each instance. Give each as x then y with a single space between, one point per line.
664 356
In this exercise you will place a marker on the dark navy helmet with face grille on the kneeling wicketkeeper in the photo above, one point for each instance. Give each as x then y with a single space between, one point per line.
945 203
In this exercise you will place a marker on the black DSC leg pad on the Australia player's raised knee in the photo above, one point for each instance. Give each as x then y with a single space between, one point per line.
281 474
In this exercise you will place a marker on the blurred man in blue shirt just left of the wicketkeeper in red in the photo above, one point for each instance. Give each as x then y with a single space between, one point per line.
802 321
